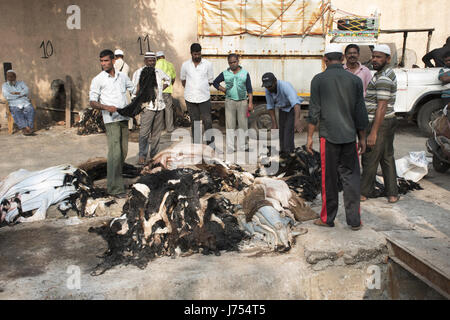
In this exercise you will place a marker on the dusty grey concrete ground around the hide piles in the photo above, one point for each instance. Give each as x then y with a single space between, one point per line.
42 260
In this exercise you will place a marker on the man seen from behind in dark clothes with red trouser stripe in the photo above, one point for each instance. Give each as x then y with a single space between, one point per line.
337 103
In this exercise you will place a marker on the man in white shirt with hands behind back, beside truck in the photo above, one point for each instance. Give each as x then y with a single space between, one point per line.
196 76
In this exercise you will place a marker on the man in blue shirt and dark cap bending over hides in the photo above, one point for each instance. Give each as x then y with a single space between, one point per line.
282 95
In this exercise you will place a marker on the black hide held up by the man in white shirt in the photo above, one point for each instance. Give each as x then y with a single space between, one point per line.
147 93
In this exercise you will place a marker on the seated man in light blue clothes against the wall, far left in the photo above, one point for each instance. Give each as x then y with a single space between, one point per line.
16 92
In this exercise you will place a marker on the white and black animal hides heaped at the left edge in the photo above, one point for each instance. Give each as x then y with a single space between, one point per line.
26 195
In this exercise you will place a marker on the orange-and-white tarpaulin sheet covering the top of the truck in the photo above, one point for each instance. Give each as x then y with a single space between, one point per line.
262 18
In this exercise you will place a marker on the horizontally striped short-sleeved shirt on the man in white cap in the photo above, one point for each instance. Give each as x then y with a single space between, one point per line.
383 86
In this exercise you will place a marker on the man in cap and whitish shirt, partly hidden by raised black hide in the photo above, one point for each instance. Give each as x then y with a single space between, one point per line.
152 118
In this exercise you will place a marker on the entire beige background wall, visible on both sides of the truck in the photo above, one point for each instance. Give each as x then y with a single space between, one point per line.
170 25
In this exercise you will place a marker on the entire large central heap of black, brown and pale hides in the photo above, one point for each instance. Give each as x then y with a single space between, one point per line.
180 206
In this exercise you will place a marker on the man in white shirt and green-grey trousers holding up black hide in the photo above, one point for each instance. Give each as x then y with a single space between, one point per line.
108 93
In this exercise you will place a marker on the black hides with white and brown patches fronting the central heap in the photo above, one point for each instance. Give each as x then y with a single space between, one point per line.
169 213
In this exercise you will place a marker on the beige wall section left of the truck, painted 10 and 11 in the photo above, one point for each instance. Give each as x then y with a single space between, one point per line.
24 24
